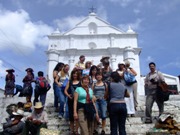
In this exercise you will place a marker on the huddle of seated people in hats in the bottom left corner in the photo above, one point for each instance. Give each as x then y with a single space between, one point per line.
19 123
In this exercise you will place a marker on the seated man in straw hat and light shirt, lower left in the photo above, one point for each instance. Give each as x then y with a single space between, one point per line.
36 121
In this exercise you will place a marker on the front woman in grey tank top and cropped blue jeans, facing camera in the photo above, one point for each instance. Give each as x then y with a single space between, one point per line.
99 89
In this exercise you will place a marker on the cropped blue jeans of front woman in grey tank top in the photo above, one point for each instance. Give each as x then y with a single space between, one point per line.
101 106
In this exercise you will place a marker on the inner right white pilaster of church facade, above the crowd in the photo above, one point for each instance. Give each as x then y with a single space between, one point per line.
113 52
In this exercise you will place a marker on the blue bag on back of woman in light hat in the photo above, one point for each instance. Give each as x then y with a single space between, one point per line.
129 78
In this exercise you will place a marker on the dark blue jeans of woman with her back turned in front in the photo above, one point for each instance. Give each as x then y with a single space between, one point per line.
118 113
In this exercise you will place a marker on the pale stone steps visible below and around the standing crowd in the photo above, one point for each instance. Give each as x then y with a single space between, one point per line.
134 125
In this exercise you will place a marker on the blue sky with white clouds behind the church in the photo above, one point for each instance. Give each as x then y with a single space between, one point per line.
25 24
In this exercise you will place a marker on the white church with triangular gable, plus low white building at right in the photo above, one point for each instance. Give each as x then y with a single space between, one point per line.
94 38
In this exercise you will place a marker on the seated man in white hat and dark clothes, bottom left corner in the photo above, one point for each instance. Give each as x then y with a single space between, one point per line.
15 125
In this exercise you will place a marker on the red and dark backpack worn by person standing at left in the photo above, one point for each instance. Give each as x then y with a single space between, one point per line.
42 83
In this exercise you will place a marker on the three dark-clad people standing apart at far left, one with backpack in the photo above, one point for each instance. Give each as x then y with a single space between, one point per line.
41 86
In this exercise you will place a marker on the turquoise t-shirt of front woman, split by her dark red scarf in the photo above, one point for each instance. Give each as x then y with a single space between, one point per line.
82 94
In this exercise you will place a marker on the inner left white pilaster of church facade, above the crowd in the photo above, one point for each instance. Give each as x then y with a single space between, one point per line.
71 53
